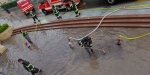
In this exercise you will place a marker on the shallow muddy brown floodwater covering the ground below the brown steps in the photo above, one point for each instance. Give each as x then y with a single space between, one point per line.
53 55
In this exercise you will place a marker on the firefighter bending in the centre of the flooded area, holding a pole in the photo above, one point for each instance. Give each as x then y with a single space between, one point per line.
86 43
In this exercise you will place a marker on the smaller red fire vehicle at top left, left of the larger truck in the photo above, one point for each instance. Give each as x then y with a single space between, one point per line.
25 6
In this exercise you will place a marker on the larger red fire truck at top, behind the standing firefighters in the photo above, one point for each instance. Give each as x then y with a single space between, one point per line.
46 5
